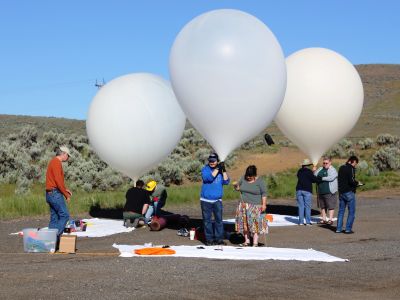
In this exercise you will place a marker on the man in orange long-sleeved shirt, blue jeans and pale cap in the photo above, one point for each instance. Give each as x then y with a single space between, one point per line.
56 190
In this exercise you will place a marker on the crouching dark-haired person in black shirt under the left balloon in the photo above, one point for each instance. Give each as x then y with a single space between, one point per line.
137 203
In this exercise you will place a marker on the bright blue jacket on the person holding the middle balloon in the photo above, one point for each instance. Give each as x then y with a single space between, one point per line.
212 186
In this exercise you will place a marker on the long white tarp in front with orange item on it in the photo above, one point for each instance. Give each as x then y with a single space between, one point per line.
238 253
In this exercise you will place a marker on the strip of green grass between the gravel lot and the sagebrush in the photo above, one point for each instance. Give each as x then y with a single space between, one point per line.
280 185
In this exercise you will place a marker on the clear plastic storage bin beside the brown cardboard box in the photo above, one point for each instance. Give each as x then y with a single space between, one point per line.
40 240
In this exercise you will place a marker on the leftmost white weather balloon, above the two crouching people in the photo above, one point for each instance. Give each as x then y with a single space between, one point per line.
134 122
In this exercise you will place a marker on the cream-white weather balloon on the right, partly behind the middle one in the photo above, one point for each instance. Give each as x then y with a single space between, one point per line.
323 101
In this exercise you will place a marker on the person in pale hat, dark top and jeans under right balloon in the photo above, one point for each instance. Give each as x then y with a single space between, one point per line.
305 179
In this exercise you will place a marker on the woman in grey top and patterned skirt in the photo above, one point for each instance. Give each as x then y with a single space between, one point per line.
253 202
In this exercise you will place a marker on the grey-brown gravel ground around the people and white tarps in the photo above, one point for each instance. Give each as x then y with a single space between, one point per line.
96 271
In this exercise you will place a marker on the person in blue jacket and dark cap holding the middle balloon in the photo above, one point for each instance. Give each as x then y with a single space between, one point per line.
214 178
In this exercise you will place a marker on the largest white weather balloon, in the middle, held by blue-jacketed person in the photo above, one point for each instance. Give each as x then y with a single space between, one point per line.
229 75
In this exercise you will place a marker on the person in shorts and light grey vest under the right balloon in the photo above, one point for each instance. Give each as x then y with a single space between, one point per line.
326 189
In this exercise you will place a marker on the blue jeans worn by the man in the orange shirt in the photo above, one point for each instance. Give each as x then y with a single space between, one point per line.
59 214
